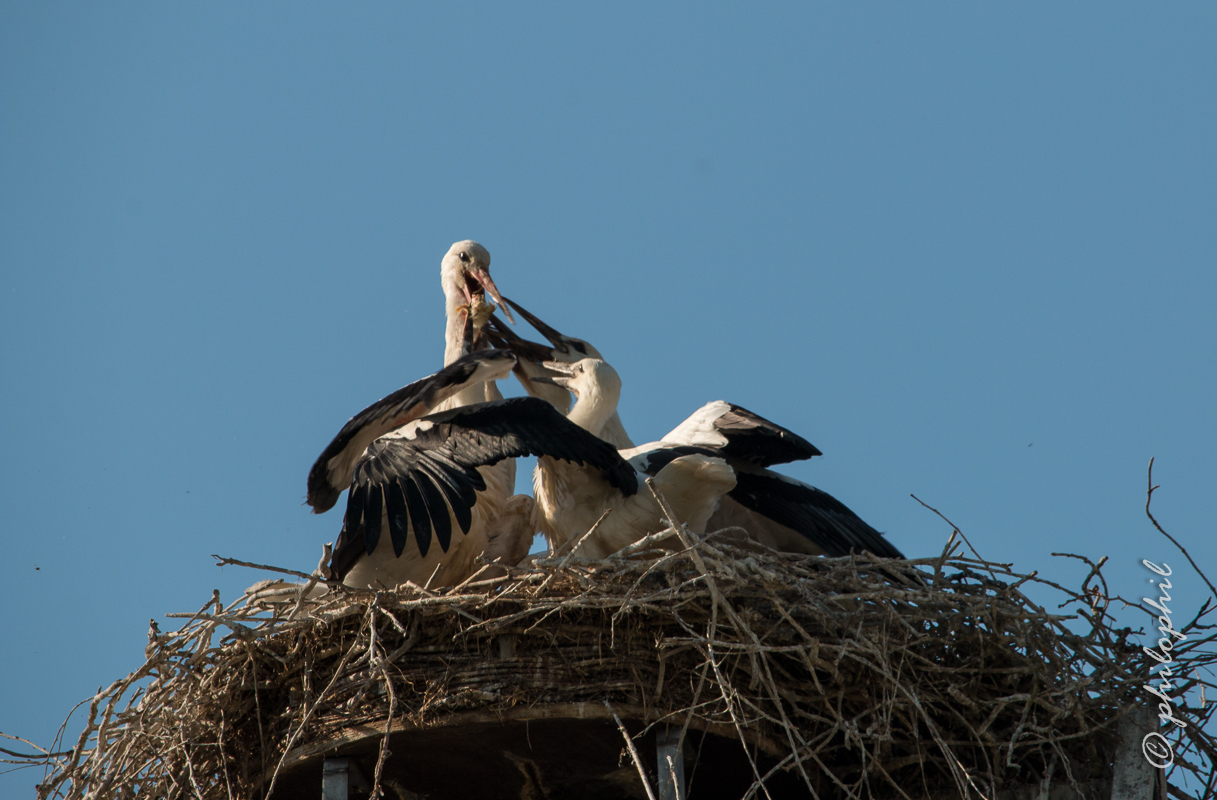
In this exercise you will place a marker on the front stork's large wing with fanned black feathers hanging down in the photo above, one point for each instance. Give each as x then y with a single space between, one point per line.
419 472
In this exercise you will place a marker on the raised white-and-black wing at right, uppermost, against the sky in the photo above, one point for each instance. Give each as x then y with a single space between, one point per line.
741 434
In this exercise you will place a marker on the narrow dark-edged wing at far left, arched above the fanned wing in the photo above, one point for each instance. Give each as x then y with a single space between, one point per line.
332 472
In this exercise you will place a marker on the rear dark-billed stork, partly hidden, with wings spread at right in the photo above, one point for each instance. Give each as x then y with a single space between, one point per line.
775 510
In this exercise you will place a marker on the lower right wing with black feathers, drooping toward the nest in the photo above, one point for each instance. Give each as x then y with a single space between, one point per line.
823 519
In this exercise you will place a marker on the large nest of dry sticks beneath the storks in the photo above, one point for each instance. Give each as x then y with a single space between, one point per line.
861 678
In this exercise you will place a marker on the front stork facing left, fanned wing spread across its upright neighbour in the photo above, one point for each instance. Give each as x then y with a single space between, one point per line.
425 478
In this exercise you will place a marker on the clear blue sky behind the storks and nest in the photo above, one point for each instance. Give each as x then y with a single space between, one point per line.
969 253
